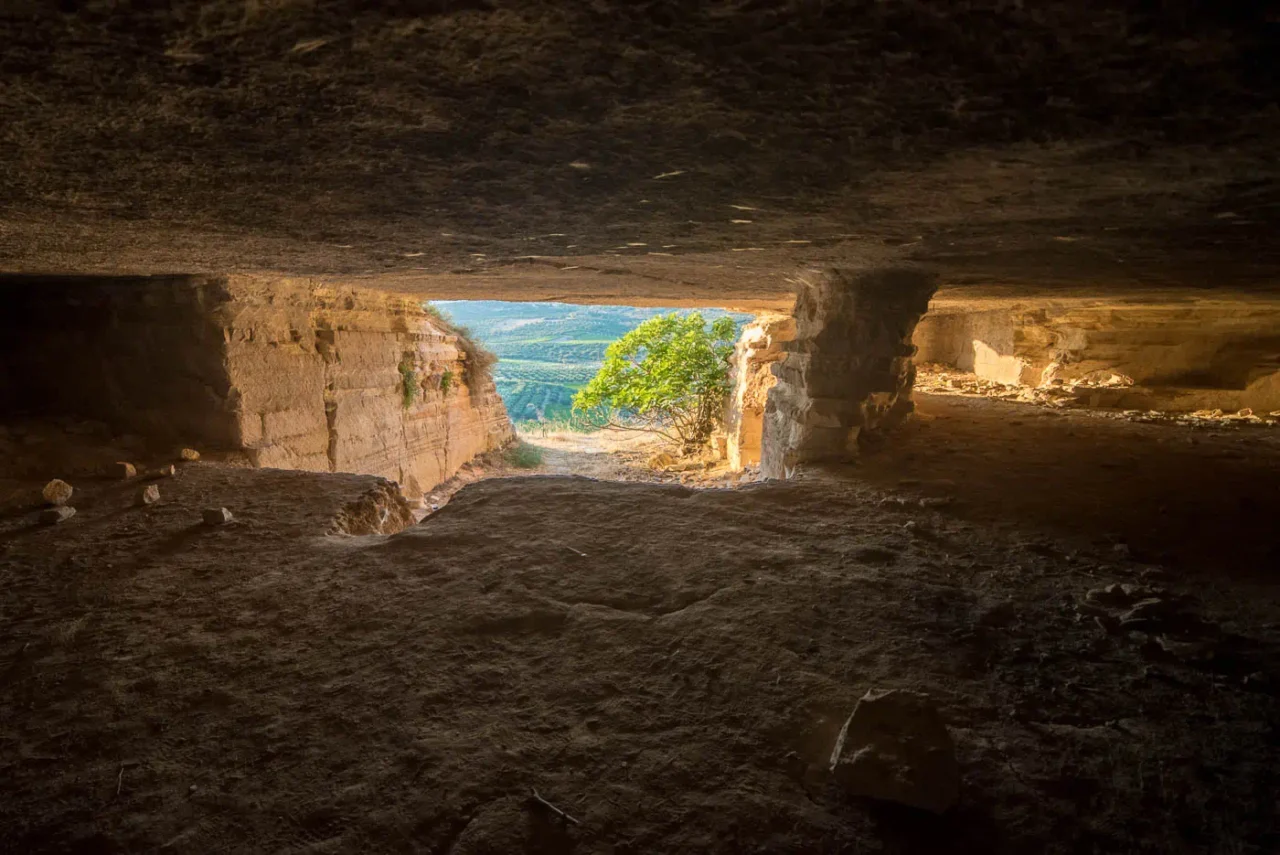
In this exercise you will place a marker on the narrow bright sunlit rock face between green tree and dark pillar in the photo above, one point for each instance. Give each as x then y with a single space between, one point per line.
752 377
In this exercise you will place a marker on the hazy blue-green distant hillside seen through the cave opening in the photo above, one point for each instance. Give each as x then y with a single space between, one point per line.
548 351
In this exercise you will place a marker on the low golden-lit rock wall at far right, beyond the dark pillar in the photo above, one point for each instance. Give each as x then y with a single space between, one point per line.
1185 355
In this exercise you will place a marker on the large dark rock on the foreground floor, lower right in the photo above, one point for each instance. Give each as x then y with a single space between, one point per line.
897 748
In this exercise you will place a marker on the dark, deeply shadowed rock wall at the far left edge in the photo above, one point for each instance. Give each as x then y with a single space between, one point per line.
140 354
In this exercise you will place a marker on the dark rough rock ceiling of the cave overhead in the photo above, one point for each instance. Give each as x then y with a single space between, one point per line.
666 152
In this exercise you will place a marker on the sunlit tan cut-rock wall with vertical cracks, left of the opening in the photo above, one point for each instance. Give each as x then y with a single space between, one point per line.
354 382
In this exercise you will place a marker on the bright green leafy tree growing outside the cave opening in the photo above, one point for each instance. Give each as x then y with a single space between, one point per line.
669 376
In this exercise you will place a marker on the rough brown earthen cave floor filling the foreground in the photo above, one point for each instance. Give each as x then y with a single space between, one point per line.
669 666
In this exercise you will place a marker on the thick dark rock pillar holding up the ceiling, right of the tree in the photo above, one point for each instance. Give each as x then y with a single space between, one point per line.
848 376
